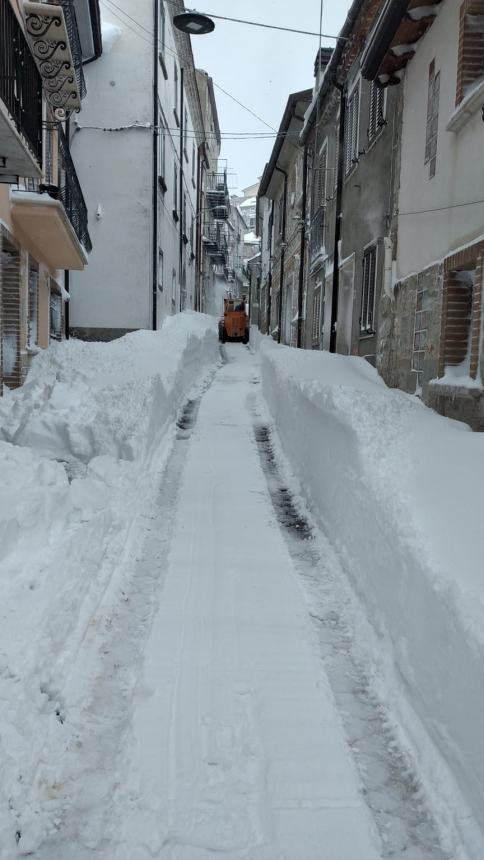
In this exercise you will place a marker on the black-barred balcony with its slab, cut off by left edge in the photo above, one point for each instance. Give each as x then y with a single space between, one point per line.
20 102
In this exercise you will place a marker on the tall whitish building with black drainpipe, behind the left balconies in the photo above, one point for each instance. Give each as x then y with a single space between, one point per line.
142 151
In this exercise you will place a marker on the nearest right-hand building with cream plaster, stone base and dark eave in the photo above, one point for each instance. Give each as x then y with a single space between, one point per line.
430 337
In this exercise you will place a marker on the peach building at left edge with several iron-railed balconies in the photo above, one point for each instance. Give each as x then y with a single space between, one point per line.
44 233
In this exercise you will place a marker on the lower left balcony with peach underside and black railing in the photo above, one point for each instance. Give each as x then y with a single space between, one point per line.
53 216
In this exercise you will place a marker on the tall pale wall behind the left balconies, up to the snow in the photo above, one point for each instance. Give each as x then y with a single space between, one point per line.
115 171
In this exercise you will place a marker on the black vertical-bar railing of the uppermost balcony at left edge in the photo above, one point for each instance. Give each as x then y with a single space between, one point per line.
20 82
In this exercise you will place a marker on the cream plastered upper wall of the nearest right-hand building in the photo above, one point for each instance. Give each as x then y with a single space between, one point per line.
425 238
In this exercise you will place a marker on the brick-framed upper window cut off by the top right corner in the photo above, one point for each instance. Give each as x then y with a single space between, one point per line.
470 67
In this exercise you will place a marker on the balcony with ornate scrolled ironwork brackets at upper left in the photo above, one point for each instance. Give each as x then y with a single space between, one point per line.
53 36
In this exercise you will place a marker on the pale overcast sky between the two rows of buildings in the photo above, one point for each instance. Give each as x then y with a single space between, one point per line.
260 68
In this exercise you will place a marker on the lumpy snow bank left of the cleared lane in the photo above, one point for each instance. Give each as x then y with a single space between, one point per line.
82 447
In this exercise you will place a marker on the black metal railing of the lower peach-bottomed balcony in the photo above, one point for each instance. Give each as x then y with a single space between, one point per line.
60 180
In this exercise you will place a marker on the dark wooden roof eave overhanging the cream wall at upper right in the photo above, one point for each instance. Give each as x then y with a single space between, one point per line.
392 41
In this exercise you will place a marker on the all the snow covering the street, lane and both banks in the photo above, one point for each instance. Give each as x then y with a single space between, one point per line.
163 692
